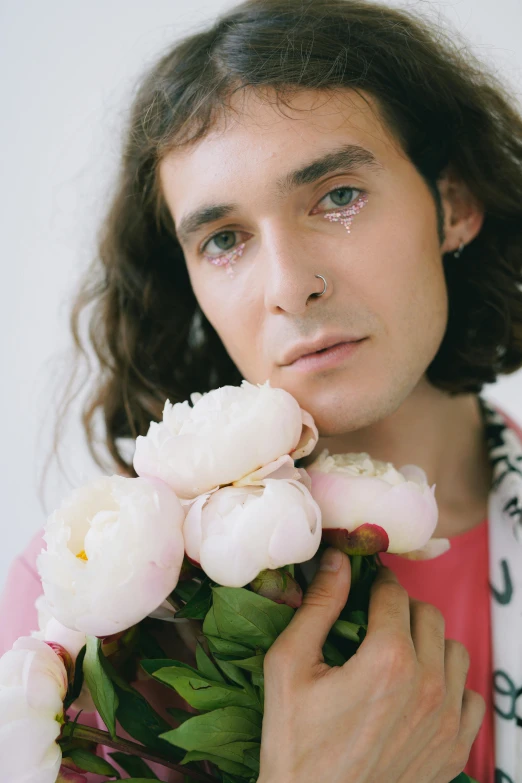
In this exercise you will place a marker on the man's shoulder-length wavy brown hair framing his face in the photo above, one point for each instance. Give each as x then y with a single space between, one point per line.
147 331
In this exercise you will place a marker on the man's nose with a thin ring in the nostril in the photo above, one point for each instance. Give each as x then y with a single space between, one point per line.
291 283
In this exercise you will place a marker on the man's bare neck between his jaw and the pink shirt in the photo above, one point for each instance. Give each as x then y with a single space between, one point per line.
444 436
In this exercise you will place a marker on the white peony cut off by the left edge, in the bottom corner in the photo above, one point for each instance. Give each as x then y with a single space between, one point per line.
33 684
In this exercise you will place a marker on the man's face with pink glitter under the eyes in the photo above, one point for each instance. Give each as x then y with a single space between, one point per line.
385 279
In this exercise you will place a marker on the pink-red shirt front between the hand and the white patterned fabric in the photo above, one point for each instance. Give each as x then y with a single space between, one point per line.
457 583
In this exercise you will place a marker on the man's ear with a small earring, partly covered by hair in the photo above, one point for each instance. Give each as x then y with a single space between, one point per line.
463 213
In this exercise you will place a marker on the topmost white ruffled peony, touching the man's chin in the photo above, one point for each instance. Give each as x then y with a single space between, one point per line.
234 434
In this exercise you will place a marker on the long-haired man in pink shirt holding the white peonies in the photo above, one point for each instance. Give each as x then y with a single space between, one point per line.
366 171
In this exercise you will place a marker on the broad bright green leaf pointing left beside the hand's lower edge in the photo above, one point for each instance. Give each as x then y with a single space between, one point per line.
212 730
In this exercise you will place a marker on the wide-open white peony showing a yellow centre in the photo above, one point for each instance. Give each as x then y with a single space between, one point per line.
114 553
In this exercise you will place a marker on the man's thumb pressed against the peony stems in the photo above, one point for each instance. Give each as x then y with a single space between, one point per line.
323 600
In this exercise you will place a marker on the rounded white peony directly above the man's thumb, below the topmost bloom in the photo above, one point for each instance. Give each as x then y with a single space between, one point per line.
236 532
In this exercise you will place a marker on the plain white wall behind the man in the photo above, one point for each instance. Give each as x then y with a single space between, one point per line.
66 74
